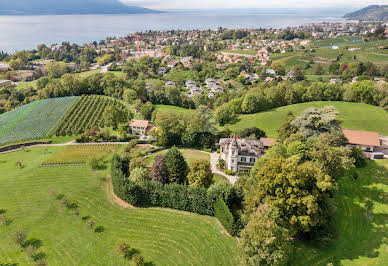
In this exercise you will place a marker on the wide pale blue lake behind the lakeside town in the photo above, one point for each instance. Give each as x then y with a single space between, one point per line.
26 32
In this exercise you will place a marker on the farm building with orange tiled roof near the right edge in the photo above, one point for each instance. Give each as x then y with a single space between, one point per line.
368 141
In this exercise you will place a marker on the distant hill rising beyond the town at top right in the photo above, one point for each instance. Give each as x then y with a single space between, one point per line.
370 13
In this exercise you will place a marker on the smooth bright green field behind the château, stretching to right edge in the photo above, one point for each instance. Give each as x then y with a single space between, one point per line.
354 116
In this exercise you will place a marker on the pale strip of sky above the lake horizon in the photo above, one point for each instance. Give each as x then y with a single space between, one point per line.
209 4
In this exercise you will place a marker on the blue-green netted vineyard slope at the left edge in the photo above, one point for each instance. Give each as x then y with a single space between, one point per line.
35 120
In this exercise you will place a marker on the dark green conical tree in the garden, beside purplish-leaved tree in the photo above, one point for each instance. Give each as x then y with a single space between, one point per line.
176 166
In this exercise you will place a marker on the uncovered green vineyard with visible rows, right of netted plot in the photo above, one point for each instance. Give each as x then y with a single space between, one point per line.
85 114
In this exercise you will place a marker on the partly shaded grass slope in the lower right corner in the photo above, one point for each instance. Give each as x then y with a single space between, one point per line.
362 238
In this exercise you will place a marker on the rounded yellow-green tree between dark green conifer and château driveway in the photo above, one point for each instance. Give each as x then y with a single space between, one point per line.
200 173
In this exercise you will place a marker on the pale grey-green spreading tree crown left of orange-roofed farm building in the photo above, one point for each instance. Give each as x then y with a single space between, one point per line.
312 122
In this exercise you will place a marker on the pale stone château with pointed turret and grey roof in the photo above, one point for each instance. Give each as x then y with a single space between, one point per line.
240 154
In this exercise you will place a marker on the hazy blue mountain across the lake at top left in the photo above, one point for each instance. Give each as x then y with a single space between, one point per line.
67 7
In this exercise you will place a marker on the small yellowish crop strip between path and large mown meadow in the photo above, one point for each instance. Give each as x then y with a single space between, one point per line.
76 154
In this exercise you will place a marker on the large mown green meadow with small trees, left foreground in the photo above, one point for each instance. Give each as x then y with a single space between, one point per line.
162 236
